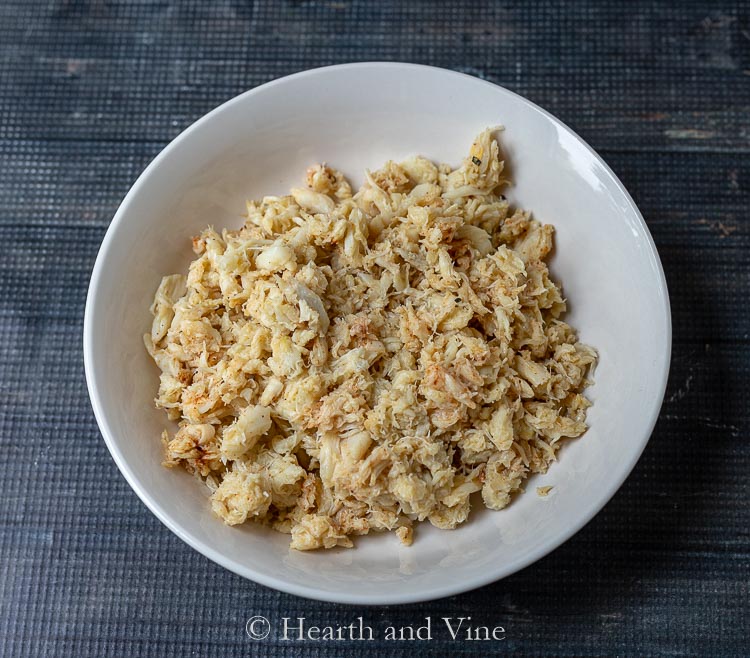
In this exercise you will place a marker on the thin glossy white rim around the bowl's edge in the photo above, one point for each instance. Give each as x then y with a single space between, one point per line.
269 580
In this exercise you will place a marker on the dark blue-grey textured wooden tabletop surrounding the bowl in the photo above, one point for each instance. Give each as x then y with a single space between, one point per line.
91 91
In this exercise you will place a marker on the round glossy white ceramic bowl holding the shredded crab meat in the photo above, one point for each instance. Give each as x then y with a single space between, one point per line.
357 116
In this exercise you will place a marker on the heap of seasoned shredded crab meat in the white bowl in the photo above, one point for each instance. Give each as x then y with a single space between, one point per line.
354 362
